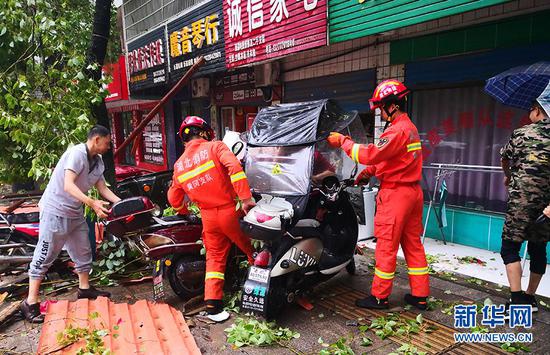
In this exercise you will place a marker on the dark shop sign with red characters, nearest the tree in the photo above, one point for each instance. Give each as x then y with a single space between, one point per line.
147 61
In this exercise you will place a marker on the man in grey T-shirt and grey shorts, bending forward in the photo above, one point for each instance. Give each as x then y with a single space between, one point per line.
62 221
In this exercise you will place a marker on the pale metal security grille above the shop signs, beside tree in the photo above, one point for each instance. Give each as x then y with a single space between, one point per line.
142 15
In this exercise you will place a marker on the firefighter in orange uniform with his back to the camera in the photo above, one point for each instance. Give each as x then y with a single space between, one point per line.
212 177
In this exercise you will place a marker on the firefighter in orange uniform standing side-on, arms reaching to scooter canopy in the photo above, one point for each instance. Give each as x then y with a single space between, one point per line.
396 160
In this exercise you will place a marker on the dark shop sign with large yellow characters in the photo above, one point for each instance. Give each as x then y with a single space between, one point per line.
197 33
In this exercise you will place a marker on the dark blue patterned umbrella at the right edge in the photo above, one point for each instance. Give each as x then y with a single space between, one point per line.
519 86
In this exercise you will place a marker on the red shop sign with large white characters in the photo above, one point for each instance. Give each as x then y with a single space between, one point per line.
259 30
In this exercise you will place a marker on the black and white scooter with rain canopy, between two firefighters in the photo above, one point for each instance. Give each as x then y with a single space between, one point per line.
309 232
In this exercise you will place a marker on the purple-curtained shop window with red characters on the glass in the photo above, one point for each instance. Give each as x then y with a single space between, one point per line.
465 126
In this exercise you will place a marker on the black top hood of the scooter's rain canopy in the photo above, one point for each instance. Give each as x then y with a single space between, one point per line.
297 123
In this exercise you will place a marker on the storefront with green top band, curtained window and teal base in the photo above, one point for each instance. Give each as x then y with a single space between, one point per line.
460 124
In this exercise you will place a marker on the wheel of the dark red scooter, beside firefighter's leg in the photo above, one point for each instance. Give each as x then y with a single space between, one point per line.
186 276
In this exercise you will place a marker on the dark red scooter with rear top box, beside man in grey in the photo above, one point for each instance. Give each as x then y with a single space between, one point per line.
173 243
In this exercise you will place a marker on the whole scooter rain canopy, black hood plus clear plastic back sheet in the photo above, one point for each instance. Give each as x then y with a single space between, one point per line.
282 147
